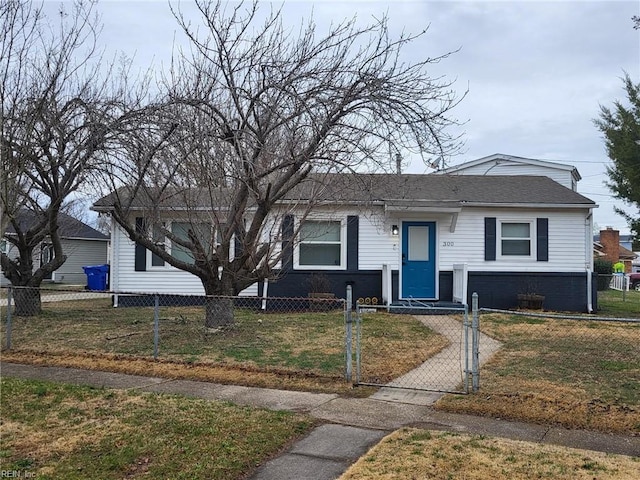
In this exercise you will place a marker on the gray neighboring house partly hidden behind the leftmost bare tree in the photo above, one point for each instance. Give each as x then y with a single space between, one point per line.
82 244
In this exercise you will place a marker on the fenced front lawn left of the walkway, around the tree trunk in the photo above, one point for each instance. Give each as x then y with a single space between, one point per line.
306 345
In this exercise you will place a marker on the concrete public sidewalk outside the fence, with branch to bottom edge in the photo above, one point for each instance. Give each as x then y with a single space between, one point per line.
353 425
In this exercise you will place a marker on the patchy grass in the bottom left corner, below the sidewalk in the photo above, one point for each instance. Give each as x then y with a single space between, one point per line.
53 431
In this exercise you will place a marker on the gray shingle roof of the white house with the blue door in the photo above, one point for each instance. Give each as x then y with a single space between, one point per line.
395 189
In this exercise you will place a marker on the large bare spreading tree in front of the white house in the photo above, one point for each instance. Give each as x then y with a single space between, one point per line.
252 113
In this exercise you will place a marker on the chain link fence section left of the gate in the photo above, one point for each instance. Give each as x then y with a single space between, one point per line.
288 335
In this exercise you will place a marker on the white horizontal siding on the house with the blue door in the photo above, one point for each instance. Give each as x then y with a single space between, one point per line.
377 246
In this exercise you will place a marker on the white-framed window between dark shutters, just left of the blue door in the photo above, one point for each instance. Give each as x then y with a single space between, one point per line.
321 245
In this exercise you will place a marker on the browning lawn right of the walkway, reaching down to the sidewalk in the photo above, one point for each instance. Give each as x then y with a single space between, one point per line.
579 374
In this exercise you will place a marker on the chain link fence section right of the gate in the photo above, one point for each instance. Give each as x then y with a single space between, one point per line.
590 356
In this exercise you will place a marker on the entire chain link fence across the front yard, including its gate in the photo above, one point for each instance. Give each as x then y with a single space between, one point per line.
407 346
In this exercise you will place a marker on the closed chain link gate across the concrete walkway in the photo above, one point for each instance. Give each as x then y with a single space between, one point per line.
429 348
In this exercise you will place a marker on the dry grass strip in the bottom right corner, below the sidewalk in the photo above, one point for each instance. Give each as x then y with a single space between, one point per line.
417 454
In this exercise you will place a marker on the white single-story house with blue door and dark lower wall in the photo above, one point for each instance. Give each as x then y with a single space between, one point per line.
420 237
